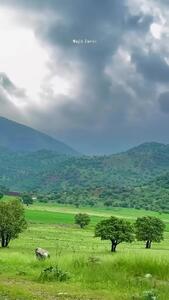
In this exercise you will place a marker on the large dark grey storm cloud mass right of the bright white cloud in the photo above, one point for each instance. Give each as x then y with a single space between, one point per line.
112 109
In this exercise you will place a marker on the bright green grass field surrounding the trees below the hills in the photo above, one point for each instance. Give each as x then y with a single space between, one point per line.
94 272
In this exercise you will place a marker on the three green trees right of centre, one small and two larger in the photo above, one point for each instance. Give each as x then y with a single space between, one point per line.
118 230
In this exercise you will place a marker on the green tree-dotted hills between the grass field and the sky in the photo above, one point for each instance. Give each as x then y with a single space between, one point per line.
137 178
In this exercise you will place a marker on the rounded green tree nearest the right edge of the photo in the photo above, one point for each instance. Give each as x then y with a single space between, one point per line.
149 229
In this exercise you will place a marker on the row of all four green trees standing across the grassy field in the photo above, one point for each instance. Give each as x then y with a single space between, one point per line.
117 230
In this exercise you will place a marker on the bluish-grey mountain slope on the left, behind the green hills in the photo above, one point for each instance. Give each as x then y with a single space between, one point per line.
18 137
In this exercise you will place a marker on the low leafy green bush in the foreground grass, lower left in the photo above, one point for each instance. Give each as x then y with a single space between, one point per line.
53 274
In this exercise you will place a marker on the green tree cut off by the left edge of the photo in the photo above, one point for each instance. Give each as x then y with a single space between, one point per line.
12 221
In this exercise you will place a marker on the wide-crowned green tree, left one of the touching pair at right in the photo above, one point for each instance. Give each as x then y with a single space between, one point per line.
116 230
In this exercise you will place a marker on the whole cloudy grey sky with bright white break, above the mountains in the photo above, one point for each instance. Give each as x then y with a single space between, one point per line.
93 74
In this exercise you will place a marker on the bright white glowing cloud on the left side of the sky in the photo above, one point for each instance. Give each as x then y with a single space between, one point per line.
28 63
